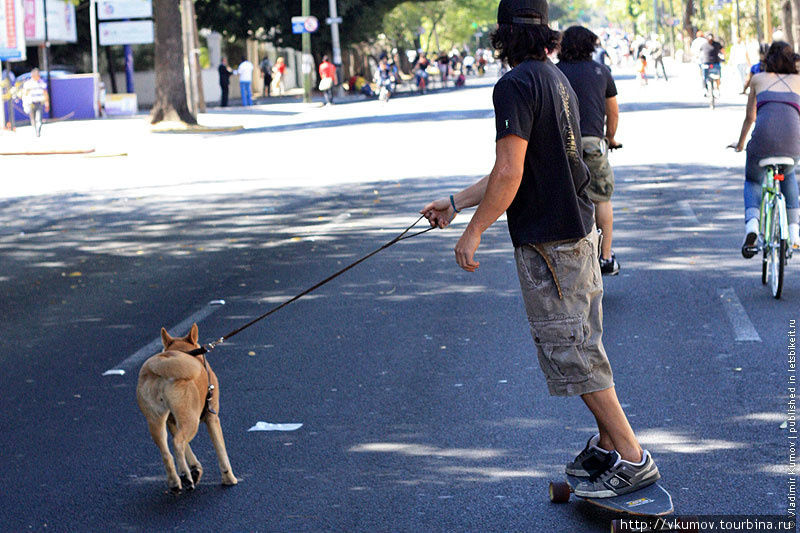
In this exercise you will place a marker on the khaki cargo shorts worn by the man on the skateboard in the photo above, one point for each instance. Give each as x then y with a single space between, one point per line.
563 295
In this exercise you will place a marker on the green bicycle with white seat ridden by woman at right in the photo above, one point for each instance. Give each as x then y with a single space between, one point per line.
773 238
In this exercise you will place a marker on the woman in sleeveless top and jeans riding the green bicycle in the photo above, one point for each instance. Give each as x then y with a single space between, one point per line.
774 106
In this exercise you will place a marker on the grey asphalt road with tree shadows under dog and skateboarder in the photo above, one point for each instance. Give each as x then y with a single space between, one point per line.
421 402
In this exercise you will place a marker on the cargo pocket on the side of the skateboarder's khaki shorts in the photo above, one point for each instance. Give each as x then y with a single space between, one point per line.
559 344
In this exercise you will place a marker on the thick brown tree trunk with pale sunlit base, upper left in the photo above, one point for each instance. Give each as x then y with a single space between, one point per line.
170 104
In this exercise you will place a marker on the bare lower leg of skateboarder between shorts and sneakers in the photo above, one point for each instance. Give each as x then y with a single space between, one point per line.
615 430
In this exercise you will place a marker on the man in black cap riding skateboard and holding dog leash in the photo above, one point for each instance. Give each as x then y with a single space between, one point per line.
539 179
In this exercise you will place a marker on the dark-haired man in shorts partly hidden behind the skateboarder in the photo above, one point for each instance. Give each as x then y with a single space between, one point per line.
599 112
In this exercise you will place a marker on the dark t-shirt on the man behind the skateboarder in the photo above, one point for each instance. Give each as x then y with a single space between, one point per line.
592 84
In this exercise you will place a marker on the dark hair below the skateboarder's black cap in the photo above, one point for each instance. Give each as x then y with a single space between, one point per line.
517 42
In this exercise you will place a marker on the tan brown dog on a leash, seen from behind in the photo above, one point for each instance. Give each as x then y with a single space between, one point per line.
172 392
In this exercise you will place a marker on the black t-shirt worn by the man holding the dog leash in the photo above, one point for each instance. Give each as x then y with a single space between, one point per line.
534 101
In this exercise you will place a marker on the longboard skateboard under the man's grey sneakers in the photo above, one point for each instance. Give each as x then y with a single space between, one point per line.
652 501
